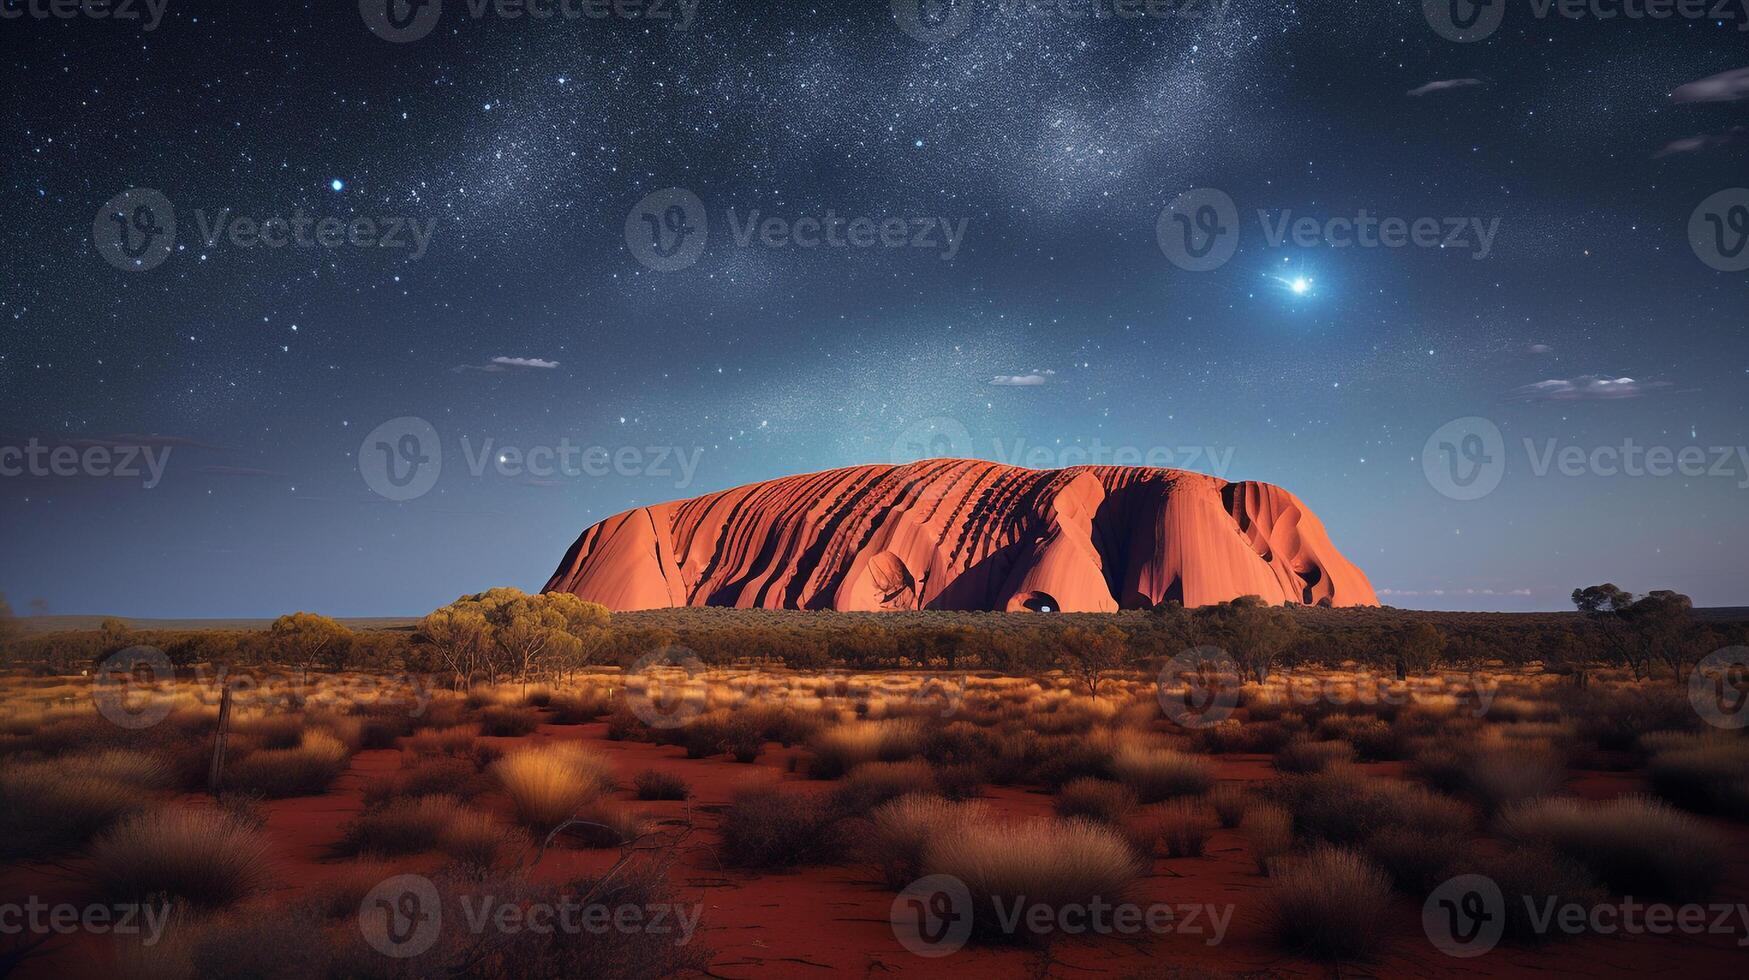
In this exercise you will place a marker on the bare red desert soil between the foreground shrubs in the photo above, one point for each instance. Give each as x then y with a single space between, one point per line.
832 921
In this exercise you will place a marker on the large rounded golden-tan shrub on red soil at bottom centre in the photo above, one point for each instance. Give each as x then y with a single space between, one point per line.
1040 862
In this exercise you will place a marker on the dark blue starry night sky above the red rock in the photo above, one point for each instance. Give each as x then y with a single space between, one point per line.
1056 328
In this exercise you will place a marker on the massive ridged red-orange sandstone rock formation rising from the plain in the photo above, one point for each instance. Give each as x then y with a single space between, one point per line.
966 535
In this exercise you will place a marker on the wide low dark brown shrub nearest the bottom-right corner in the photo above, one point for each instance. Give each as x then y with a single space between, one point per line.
1638 846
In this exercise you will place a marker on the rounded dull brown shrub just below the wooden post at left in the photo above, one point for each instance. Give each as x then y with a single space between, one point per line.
199 857
